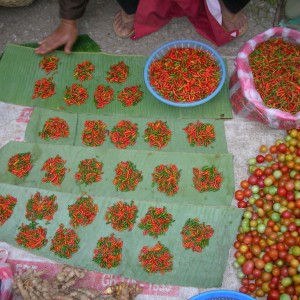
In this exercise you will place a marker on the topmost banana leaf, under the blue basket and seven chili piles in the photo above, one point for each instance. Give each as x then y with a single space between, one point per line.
19 71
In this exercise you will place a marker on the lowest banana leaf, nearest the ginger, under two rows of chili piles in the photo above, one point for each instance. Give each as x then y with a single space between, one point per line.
190 268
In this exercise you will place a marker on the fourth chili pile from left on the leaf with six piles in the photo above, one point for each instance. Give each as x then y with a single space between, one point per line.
127 176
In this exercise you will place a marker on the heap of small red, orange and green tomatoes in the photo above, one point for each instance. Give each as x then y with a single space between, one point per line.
267 246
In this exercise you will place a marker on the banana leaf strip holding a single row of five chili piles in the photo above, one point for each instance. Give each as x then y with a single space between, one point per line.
178 142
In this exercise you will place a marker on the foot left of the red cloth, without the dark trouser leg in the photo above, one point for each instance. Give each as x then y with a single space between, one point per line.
124 24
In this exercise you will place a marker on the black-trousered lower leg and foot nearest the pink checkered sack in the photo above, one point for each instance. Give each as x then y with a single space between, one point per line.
232 17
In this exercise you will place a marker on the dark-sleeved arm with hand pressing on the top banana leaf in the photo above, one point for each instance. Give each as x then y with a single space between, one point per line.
66 33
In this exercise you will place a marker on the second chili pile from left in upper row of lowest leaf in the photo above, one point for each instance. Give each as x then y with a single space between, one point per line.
39 208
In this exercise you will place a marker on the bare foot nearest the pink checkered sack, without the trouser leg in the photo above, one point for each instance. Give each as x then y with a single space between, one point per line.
233 22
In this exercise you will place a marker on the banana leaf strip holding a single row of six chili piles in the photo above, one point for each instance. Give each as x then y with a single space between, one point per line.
145 161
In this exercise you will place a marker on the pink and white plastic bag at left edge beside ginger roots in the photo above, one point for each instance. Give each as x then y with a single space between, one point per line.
6 277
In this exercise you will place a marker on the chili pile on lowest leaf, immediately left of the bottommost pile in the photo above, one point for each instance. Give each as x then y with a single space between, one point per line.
108 253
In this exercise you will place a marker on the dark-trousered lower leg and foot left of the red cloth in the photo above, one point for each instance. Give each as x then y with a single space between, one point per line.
124 20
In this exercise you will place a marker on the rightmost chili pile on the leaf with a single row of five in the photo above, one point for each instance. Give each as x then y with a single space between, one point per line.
200 134
